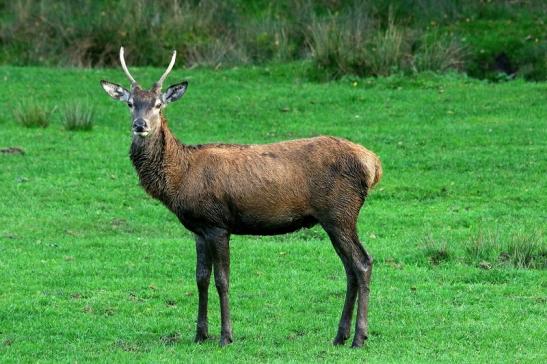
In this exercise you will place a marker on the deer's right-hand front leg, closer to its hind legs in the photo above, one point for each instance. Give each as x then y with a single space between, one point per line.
219 246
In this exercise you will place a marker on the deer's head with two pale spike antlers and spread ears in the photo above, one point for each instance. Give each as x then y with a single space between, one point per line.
145 105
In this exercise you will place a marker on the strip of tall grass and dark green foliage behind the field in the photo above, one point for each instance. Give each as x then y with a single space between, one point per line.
486 39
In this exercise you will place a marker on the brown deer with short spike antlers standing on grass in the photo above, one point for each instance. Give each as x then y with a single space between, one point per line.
219 190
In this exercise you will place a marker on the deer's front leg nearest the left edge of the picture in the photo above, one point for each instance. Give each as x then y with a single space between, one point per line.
203 275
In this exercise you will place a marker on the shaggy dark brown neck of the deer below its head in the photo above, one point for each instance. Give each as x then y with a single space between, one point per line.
160 162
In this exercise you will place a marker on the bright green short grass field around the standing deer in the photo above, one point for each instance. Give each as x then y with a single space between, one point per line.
93 269
